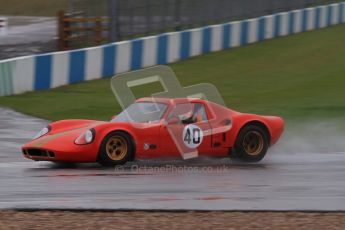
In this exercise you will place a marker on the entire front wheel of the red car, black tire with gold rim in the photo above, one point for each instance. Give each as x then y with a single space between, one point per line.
116 149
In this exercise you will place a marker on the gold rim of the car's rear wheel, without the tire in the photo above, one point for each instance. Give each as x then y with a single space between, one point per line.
253 143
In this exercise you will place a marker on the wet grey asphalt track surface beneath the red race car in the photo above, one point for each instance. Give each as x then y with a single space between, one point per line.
282 181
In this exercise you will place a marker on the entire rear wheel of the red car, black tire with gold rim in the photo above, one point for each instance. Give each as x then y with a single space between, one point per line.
251 144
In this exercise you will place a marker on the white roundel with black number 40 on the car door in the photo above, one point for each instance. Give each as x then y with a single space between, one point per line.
192 136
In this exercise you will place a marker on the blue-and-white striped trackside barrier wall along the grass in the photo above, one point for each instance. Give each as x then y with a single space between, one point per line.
56 69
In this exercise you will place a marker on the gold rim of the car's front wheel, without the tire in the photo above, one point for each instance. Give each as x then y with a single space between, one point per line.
116 148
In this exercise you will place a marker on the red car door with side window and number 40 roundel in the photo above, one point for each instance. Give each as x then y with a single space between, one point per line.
187 132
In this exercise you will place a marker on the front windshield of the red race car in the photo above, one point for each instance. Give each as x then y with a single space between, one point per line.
142 112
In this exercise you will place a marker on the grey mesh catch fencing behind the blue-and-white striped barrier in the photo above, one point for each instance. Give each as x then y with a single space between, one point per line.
132 18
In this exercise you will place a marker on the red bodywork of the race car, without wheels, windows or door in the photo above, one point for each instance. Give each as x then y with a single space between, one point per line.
59 144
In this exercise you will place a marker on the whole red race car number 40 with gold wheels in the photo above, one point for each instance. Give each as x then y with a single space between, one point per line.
158 128
